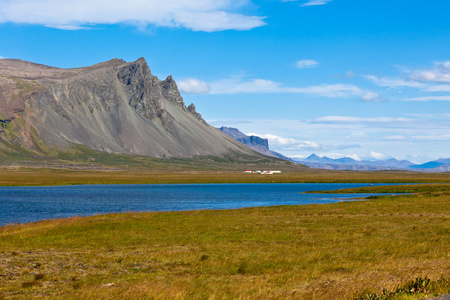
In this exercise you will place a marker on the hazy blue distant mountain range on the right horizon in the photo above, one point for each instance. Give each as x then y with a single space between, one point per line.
347 163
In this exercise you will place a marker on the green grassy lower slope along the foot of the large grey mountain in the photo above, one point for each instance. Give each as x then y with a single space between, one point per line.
82 157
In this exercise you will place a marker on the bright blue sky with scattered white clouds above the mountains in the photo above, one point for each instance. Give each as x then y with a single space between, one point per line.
339 78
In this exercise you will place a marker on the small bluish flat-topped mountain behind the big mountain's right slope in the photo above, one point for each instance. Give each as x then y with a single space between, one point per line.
255 142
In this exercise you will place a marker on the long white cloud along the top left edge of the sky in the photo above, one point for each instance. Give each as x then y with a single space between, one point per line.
198 15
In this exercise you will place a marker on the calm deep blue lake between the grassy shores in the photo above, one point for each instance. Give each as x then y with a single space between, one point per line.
28 204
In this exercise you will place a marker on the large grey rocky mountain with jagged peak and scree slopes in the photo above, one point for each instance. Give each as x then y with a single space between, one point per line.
114 107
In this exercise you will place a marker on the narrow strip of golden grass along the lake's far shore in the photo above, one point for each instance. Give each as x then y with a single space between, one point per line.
291 174
